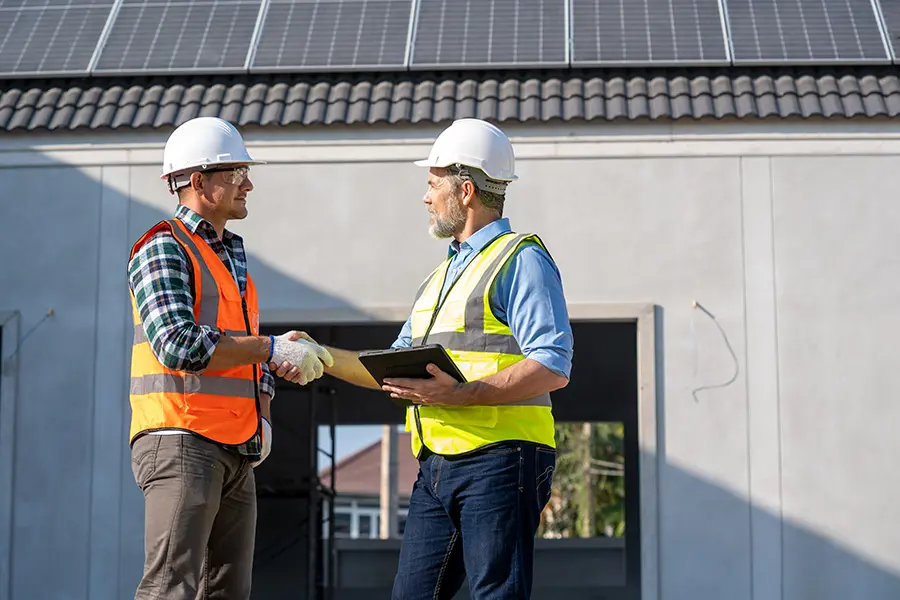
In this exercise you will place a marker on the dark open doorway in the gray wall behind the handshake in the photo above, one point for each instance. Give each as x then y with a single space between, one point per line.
298 554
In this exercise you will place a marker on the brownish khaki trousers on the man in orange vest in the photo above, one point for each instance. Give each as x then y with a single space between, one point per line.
199 519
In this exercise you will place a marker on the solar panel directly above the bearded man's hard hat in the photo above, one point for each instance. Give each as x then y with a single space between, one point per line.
490 33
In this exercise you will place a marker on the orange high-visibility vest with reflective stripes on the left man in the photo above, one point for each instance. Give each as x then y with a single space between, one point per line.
222 406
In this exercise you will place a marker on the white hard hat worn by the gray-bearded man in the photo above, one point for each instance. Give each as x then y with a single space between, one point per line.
474 143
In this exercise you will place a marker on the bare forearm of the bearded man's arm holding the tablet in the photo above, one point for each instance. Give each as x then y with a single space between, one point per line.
525 379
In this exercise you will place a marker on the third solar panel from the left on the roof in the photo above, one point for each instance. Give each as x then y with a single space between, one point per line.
333 34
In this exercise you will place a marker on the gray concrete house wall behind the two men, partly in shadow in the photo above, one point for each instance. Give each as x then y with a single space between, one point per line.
775 466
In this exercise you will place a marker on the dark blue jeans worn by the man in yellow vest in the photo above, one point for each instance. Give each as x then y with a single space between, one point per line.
475 515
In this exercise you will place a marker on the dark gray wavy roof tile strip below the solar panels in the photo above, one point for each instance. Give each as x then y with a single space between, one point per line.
425 97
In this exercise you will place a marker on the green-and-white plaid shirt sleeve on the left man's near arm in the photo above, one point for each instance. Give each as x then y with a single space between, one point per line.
160 280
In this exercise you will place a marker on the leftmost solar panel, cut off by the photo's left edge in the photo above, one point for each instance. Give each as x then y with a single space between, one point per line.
49 38
